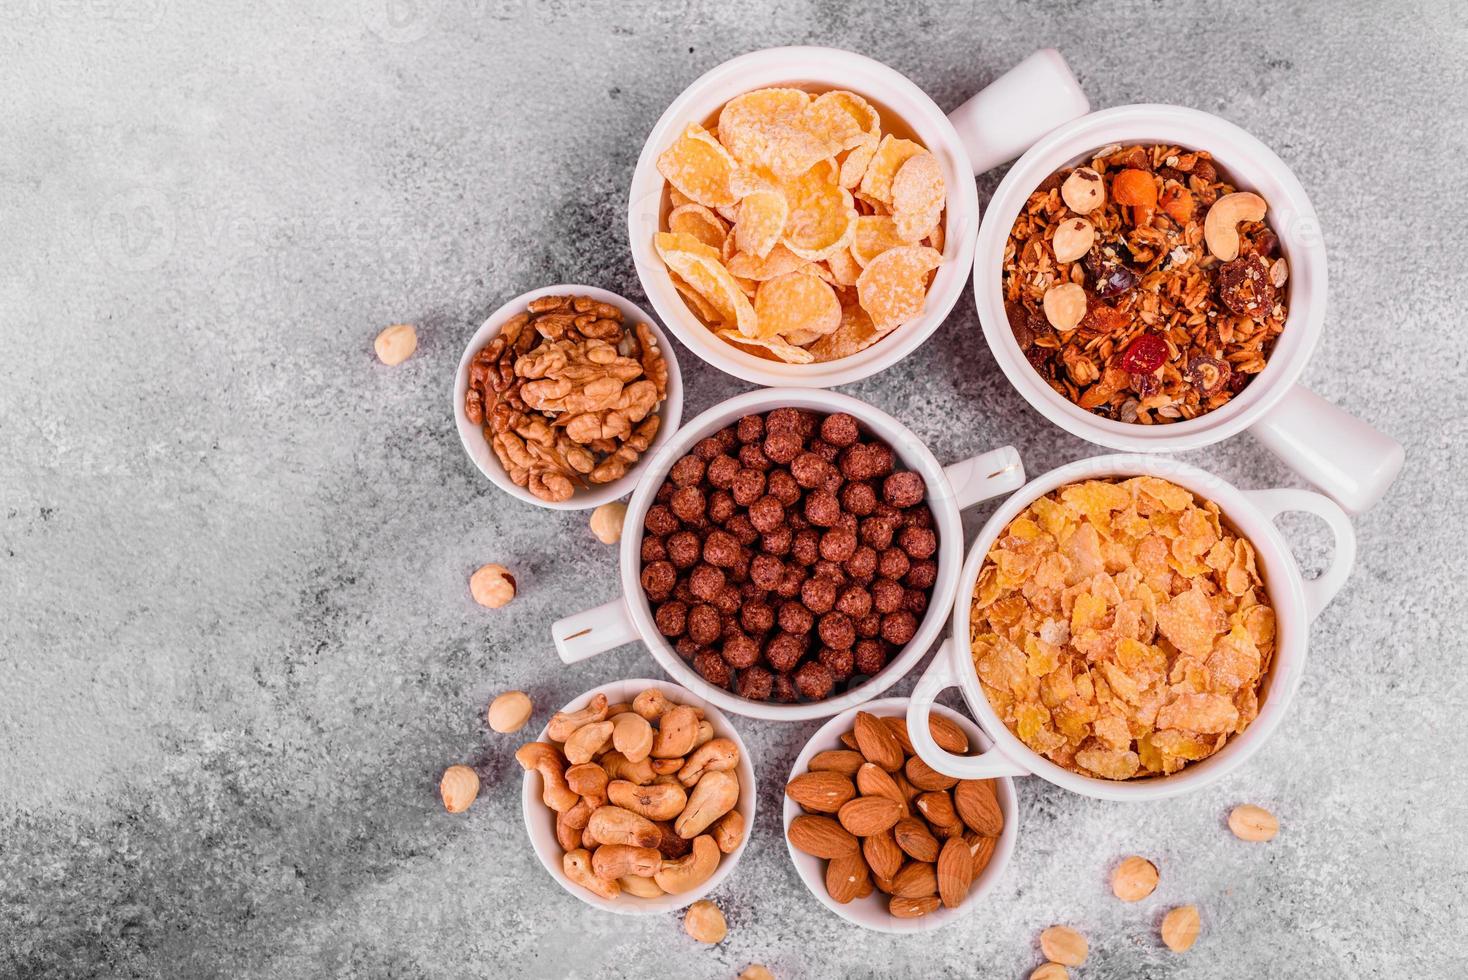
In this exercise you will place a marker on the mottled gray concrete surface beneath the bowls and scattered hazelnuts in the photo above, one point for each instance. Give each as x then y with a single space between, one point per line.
236 639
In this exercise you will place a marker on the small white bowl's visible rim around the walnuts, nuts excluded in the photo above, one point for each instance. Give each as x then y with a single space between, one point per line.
473 436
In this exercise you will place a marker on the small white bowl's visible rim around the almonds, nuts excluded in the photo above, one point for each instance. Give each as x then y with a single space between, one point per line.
871 912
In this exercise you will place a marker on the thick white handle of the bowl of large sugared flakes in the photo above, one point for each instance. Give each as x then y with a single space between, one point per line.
1020 108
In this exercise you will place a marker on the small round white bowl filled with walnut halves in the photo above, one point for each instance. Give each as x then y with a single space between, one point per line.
564 394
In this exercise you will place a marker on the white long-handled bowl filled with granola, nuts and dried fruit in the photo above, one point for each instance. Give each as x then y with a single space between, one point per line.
1153 279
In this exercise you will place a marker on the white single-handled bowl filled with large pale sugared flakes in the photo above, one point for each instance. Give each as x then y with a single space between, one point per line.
807 216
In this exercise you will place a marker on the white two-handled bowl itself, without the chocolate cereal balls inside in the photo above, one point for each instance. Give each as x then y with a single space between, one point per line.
951 489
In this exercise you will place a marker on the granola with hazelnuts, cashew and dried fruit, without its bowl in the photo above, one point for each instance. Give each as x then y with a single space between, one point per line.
1144 287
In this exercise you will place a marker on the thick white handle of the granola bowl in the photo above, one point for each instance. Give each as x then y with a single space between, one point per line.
1338 453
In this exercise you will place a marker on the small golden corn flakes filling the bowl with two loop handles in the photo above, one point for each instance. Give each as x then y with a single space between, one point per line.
1121 629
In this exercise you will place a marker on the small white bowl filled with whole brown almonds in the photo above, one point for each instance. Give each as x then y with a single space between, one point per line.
883 840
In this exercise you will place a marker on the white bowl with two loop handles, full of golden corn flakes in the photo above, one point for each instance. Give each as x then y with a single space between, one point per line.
1130 629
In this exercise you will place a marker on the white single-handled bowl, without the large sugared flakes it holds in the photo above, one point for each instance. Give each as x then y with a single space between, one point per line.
992 128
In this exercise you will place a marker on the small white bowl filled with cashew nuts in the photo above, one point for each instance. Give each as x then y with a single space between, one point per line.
638 797
